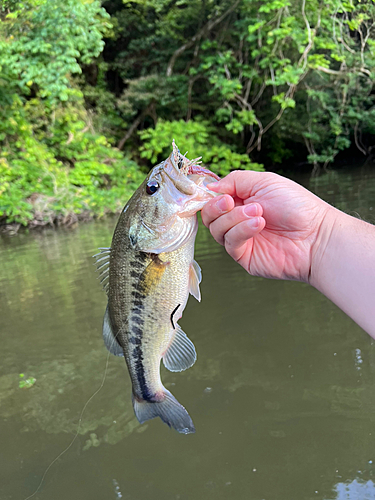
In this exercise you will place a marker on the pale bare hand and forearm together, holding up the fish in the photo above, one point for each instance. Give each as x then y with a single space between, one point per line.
275 228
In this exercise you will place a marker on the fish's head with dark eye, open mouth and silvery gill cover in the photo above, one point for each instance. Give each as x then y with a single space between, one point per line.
167 203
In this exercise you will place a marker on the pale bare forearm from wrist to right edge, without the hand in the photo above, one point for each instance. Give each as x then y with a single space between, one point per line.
343 266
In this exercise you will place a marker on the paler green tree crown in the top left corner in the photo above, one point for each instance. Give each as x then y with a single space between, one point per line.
43 42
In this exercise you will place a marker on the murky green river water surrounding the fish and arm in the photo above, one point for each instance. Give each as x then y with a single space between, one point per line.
282 394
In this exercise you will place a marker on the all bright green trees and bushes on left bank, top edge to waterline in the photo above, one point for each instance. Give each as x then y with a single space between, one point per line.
54 166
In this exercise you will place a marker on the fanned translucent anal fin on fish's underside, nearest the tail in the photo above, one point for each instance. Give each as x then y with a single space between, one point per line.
180 354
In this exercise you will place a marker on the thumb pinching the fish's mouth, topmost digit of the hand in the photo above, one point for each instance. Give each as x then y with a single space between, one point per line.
238 183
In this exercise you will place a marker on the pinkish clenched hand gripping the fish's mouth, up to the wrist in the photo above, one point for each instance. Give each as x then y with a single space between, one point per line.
267 223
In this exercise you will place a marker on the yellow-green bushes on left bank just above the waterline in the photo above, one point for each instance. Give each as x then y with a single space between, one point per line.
70 170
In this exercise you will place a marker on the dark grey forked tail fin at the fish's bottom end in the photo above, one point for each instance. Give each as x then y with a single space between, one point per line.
169 410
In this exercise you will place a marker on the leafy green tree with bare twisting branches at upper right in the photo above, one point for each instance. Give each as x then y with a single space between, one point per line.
290 64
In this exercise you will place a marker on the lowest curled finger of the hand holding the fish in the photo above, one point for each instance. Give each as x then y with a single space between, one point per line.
237 238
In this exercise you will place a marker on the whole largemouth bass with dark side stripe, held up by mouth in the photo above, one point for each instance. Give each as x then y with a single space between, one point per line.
148 273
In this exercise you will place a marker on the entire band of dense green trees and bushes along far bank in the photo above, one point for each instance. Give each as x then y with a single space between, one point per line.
92 94
